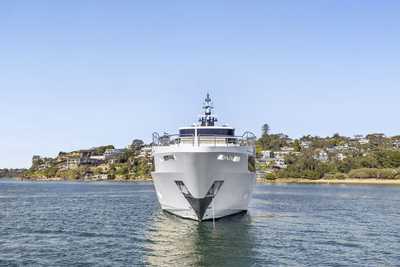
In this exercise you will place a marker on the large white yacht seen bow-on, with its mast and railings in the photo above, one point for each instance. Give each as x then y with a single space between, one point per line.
205 171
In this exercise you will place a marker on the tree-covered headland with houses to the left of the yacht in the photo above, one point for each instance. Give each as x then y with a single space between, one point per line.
126 164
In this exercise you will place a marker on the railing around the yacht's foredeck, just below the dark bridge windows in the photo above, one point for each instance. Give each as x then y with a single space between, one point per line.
247 139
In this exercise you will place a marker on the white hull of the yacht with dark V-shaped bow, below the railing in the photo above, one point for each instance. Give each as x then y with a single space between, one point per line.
201 184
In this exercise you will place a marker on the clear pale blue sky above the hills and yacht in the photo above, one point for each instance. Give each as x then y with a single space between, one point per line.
78 74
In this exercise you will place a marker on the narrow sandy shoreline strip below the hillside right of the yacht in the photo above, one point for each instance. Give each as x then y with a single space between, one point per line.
350 181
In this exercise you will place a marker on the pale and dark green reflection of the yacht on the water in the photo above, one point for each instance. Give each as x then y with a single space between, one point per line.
187 243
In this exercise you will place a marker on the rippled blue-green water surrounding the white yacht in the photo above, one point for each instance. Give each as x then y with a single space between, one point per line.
120 224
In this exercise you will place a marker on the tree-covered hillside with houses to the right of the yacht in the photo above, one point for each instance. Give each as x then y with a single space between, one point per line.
373 156
